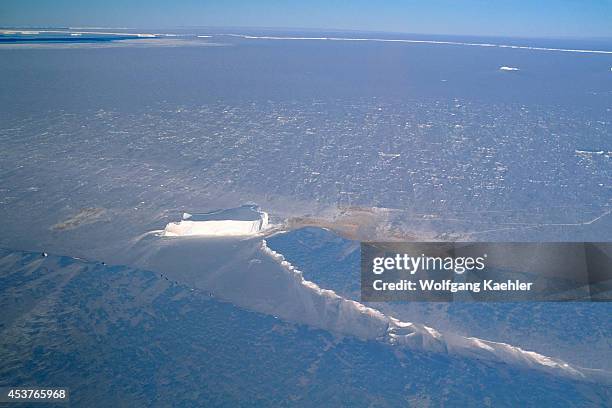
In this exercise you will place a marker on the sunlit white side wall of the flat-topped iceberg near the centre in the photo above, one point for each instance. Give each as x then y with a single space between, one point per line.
216 228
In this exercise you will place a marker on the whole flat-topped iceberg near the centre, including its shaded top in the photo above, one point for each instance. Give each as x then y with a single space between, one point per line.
247 220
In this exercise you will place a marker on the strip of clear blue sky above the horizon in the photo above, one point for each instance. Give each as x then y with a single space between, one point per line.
532 18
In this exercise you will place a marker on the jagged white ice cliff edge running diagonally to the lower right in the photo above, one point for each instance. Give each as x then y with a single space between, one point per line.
421 337
